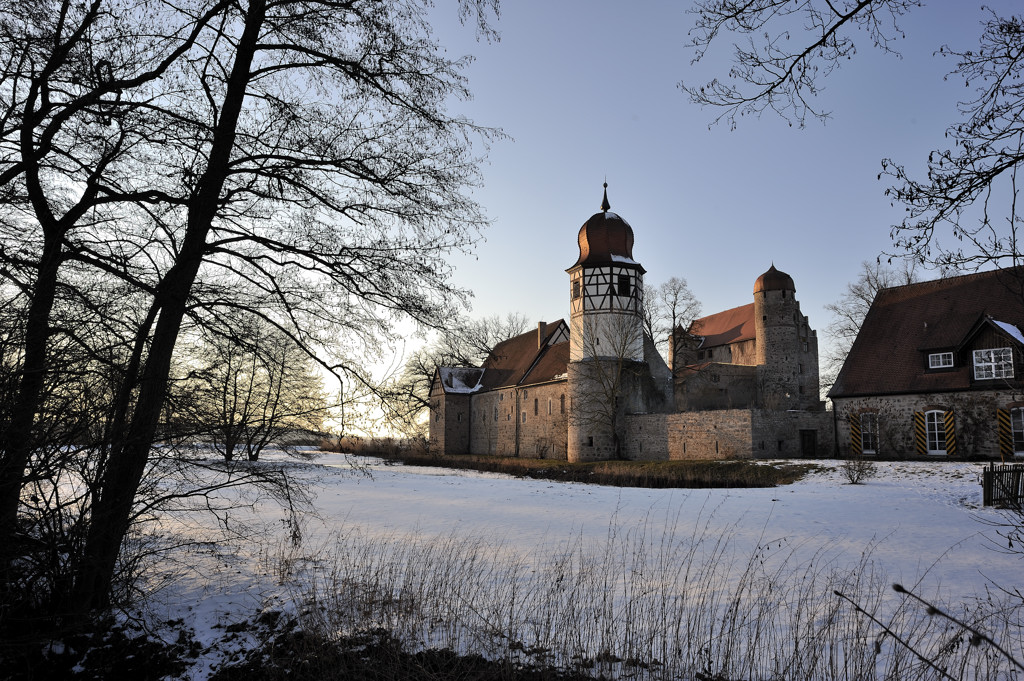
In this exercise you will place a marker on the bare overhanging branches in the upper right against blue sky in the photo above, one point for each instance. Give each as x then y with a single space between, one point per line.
963 214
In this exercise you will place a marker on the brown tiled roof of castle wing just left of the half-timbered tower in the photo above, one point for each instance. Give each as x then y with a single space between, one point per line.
525 358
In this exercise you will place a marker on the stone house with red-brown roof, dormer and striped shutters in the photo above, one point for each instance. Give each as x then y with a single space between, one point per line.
936 371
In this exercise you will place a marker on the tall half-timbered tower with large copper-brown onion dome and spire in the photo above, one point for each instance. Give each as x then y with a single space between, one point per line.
606 335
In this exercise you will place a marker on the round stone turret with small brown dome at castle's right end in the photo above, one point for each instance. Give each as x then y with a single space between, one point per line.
787 350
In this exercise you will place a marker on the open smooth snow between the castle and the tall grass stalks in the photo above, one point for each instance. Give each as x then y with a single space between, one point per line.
920 524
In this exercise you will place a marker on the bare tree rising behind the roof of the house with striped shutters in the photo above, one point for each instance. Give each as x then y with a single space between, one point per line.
849 312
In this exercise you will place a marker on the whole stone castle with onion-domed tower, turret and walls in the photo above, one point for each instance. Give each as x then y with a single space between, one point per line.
739 385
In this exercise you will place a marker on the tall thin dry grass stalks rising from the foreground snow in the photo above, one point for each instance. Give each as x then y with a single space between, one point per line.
651 604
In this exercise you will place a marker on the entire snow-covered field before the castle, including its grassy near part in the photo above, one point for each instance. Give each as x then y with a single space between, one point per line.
921 525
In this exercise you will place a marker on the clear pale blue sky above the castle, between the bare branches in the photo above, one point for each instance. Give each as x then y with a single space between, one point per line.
588 91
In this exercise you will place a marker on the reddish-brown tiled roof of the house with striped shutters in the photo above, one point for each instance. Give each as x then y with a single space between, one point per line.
907 323
